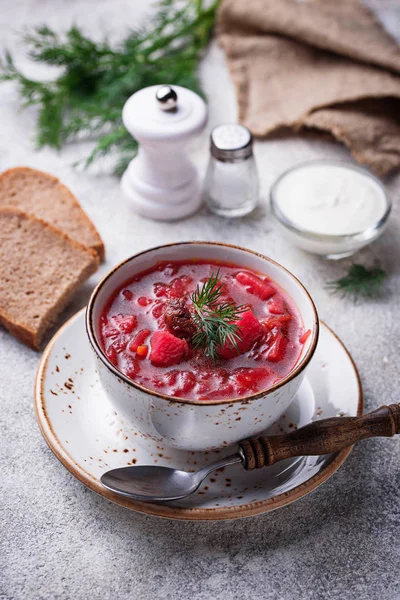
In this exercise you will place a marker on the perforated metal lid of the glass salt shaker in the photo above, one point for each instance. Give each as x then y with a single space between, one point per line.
231 142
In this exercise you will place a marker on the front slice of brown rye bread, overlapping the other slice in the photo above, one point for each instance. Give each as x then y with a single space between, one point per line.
40 269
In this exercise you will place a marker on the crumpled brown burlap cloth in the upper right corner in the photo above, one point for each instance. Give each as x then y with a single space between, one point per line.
322 64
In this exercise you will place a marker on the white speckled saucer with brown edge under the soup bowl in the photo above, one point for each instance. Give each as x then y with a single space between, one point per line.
88 437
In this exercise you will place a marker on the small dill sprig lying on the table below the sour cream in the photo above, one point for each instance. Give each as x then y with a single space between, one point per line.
360 281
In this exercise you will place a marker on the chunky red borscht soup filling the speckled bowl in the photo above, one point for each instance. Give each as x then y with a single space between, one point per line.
148 332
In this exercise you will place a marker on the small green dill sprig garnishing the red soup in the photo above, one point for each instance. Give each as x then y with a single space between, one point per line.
214 319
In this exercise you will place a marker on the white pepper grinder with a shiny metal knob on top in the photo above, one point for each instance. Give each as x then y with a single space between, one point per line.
161 182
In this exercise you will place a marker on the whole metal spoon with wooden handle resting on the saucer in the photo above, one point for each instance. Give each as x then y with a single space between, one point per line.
162 484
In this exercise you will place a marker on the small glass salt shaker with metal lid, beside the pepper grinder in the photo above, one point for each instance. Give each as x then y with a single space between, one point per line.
231 184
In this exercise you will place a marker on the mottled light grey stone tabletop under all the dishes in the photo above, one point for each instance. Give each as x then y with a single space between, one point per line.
59 540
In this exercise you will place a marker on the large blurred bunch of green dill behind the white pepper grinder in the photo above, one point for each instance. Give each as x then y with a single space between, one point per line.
96 78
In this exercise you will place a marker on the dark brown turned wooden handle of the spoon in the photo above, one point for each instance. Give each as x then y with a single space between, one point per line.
321 437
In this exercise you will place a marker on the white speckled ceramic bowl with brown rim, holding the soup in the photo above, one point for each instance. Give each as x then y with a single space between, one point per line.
189 424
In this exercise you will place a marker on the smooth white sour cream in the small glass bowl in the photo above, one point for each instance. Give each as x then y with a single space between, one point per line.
330 199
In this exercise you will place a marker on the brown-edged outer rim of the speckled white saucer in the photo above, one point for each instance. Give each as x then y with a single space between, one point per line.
167 510
